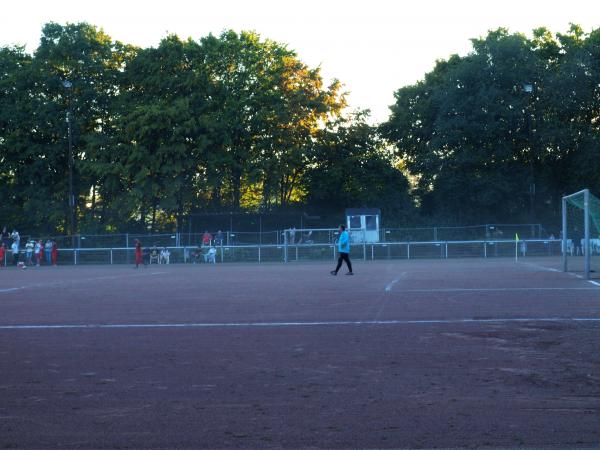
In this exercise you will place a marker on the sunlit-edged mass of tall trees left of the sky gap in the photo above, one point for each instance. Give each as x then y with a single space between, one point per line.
225 123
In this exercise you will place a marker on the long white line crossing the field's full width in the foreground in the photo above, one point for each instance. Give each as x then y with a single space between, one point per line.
297 324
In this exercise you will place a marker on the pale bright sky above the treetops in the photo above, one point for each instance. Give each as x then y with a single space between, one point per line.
373 47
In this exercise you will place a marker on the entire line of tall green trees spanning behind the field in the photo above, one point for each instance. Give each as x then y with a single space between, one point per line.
238 123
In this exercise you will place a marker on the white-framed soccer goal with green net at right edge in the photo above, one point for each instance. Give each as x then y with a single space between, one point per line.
581 234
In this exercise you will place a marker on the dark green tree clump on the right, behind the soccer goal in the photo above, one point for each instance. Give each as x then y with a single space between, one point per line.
501 134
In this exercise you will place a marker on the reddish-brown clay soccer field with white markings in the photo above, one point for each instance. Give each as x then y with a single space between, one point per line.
405 354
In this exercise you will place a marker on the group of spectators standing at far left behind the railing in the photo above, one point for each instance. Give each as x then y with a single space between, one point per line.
36 251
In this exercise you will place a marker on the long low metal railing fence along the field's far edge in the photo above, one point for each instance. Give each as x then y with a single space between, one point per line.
320 252
